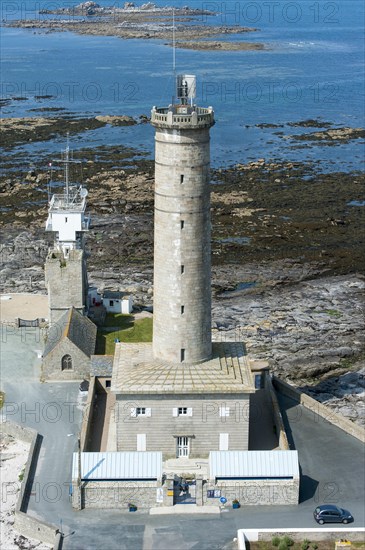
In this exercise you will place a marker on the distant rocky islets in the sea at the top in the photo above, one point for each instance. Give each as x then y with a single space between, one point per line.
145 22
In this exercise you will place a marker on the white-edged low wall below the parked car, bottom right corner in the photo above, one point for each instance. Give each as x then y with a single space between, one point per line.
355 534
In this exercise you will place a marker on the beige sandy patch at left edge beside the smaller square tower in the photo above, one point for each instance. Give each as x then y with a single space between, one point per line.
25 306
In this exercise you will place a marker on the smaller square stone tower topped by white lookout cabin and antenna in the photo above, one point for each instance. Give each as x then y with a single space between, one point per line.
65 269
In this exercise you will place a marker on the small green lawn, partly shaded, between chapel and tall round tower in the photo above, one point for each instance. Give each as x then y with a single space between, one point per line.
129 331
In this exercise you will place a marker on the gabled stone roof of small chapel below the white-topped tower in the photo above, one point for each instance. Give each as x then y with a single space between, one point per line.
76 328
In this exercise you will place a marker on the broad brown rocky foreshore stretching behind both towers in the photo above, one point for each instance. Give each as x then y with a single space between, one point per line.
287 251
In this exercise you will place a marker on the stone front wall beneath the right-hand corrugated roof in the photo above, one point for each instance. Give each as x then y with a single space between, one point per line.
254 492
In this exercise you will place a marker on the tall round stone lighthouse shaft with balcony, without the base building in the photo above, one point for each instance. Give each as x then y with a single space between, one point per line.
182 275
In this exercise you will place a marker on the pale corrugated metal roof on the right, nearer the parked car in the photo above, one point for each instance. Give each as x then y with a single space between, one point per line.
253 464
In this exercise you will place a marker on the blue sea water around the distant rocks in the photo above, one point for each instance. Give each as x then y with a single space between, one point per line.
312 67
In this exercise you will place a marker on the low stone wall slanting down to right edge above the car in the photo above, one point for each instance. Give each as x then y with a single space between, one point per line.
319 409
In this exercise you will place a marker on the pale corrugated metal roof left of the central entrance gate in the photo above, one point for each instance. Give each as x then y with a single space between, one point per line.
123 465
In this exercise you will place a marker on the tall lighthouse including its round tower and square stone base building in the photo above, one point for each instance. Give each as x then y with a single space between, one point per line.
181 394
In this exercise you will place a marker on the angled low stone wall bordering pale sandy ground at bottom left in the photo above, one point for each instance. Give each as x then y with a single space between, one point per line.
27 525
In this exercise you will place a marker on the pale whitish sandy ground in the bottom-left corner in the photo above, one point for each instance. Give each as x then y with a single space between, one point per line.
13 457
